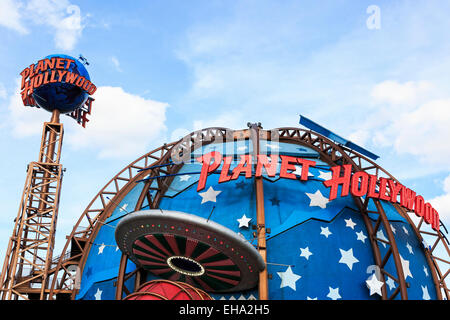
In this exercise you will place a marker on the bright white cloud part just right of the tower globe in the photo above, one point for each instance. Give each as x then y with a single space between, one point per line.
122 124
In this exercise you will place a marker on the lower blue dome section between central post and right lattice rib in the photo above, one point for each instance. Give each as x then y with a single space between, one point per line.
321 270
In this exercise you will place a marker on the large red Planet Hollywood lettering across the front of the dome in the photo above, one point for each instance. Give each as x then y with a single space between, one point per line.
357 184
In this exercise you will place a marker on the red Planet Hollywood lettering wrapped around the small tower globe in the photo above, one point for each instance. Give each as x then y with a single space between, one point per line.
51 71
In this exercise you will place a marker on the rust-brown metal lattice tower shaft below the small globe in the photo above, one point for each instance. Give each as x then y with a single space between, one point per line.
28 261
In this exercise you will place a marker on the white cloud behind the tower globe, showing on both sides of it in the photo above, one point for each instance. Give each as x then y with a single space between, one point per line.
121 124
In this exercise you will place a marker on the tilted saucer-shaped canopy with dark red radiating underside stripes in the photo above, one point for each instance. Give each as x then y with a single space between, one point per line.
183 247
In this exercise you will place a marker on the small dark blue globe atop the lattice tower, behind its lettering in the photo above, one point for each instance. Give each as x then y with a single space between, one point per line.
65 97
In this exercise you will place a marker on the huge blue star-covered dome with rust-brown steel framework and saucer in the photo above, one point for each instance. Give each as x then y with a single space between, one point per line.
159 225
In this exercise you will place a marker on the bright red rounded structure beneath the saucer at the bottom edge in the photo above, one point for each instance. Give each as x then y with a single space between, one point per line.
168 290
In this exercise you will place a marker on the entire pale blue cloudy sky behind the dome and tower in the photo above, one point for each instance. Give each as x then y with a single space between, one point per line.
375 72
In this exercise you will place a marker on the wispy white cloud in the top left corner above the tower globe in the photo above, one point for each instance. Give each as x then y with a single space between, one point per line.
62 17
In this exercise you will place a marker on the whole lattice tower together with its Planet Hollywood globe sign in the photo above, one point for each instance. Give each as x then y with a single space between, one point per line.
58 84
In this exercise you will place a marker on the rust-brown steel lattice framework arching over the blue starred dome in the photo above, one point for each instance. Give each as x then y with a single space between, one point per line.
79 242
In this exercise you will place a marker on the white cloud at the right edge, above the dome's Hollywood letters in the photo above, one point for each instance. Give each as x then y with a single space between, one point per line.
412 118
